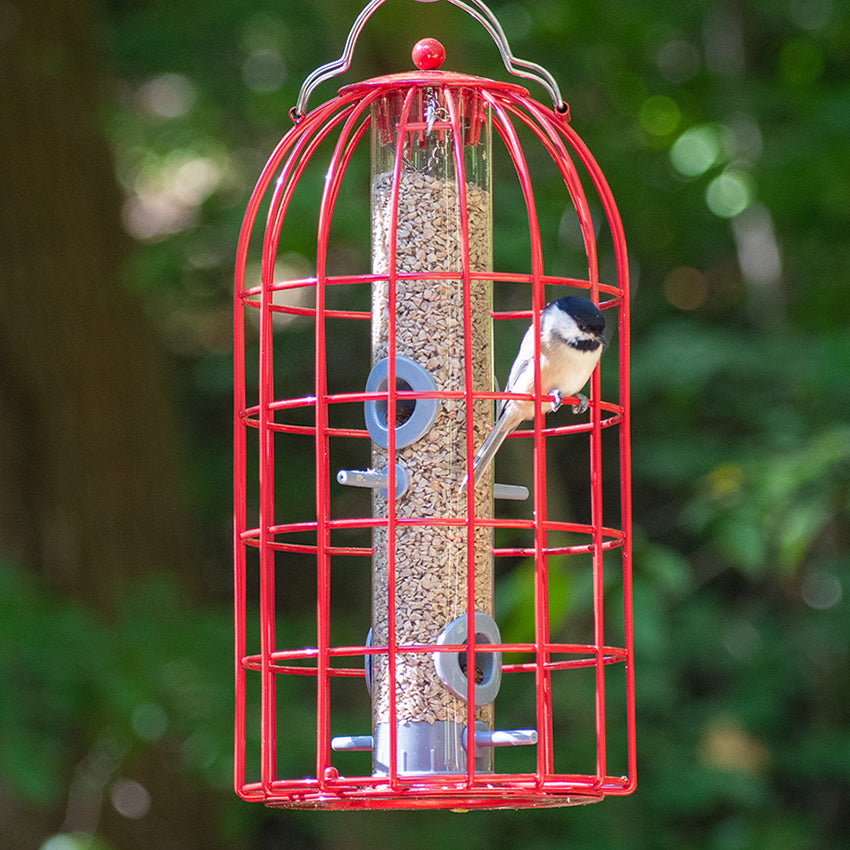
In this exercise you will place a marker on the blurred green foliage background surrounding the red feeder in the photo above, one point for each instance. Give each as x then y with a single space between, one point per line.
741 394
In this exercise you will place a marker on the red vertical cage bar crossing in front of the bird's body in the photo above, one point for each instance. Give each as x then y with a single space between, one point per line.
543 685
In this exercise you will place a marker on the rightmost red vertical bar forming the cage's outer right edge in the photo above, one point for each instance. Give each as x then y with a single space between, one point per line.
621 258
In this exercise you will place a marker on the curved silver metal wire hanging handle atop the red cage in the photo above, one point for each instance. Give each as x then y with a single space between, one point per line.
478 11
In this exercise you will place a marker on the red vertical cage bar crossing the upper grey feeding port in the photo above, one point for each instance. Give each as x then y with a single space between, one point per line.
392 277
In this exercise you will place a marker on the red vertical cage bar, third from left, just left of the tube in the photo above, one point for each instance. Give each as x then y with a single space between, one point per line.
336 169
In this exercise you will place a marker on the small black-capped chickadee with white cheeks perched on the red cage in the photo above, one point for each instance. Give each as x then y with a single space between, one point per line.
571 342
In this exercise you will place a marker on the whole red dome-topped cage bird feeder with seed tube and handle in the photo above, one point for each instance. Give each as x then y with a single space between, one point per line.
381 383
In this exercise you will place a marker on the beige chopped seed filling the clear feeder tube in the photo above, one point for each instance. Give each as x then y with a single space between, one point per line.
431 561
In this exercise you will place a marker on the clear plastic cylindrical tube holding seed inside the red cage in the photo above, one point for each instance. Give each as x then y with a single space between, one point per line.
440 210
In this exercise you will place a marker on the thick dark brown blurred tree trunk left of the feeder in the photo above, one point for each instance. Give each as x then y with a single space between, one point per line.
88 457
